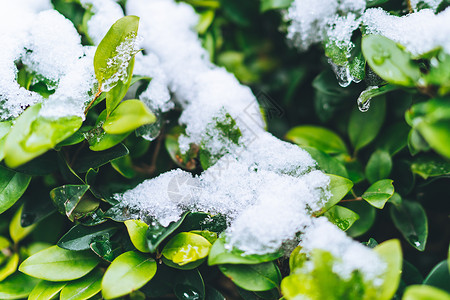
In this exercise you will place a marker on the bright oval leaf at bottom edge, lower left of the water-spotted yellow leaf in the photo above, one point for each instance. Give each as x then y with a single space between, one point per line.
128 272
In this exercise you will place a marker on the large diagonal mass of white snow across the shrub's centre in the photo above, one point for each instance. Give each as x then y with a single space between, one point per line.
266 188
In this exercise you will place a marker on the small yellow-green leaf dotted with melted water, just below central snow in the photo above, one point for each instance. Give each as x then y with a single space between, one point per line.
186 248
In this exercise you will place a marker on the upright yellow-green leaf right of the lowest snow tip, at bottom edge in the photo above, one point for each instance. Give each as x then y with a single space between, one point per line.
391 253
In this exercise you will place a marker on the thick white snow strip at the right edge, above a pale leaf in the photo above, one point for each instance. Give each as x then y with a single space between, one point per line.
418 32
